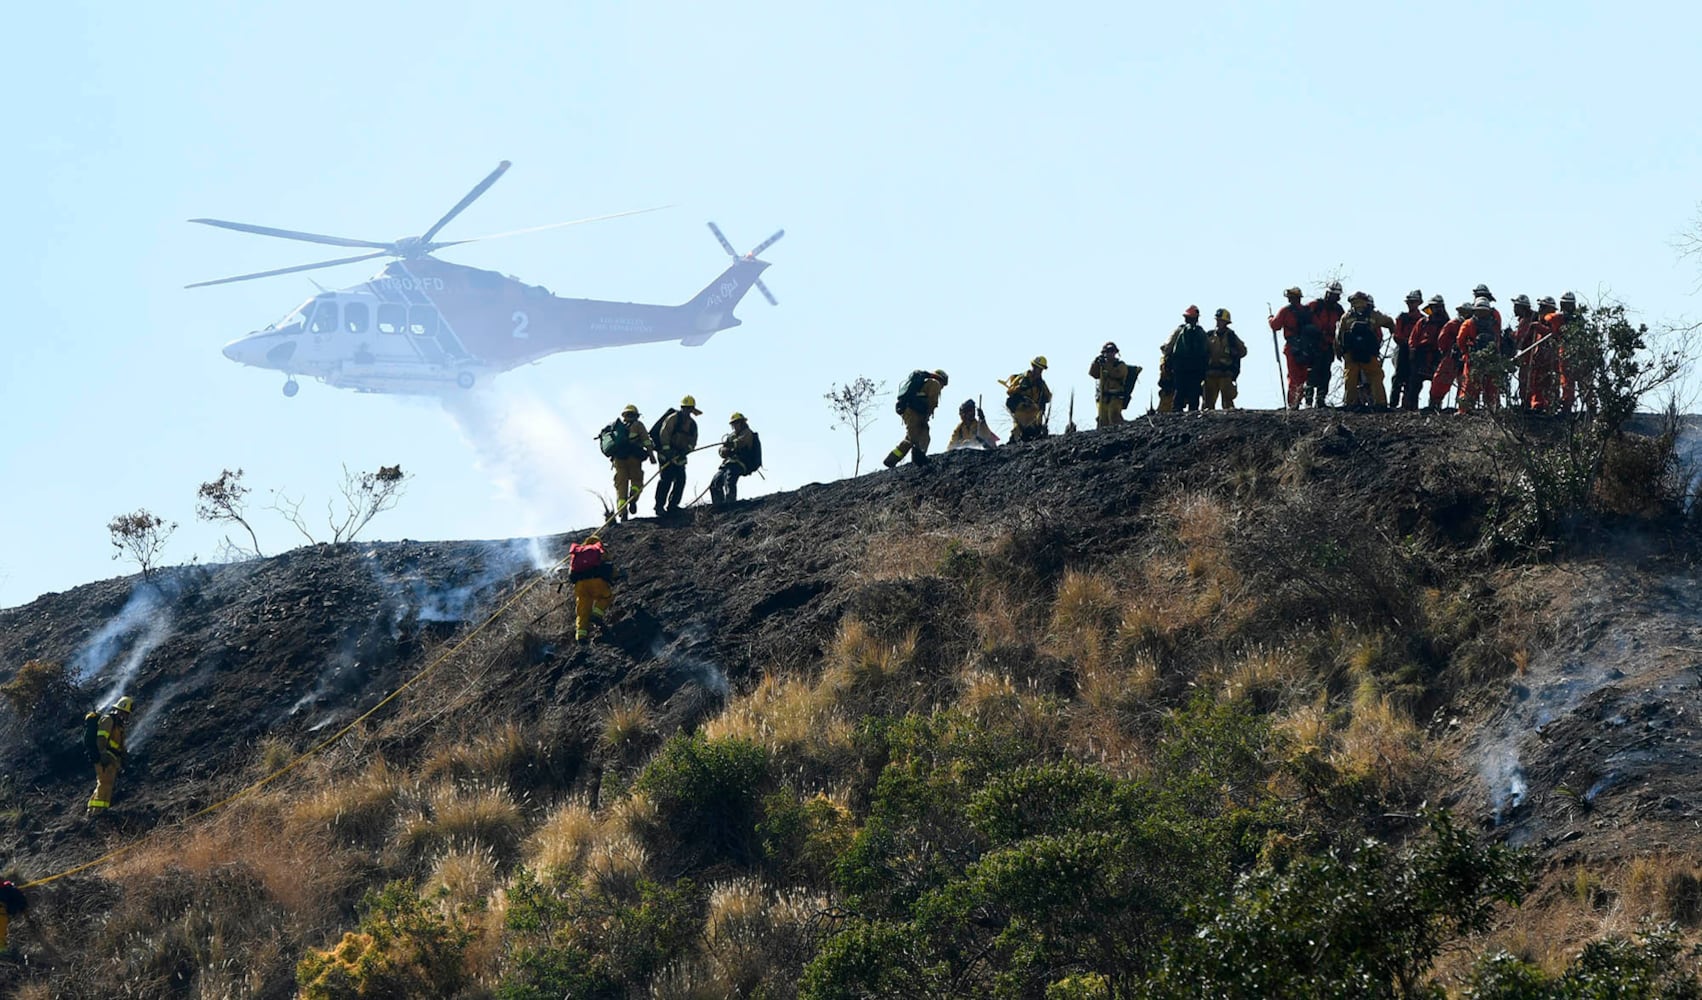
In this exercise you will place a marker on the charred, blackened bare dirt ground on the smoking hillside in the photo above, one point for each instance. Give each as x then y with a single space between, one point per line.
1601 730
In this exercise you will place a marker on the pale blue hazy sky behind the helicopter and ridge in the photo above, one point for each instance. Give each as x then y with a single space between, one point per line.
962 186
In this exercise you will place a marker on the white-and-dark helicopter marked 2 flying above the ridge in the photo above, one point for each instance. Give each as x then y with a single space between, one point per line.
423 326
